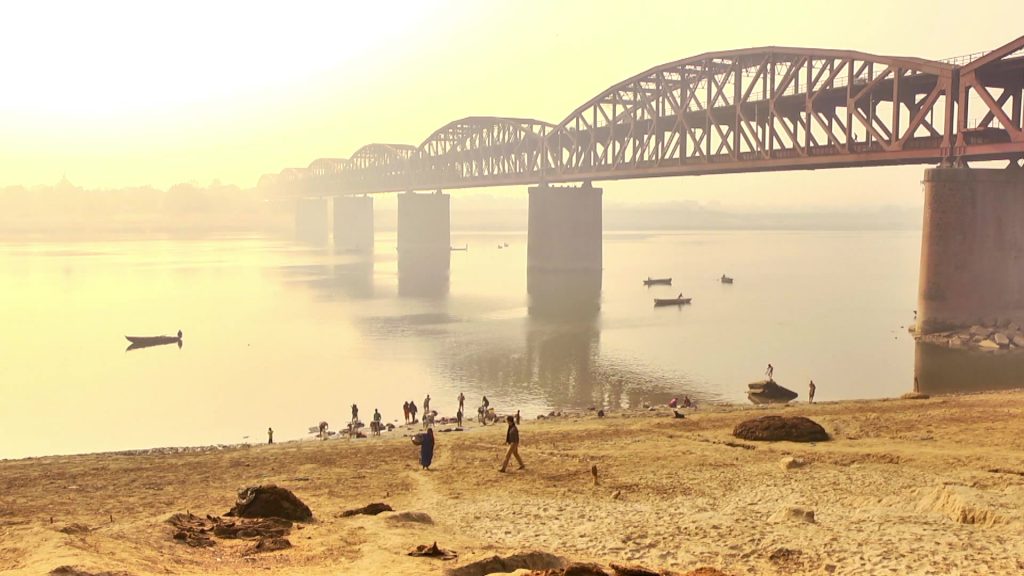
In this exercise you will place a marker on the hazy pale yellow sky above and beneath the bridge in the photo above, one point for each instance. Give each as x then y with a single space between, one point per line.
122 94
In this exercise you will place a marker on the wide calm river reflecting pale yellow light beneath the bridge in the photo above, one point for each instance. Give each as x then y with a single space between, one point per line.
283 335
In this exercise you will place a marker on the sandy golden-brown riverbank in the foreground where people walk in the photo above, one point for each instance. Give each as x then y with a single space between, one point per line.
905 487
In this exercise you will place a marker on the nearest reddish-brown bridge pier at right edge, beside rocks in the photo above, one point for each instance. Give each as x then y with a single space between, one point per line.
972 251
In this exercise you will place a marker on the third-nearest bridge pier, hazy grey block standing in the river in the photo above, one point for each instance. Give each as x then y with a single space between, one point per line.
424 244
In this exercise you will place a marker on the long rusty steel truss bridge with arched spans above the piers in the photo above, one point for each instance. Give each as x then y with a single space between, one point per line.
740 111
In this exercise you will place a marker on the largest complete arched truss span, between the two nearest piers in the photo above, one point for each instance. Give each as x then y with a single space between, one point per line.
760 109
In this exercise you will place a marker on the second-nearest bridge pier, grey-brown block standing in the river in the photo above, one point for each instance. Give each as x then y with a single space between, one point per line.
565 253
